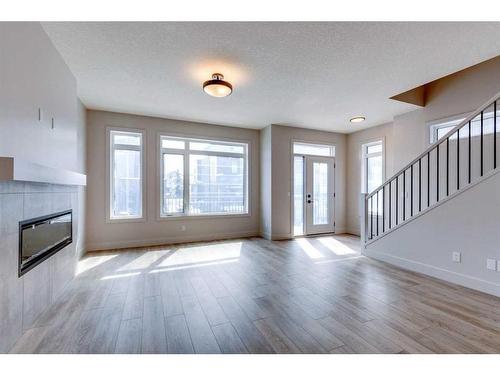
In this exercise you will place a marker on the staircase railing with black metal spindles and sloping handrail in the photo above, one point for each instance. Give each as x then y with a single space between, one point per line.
462 158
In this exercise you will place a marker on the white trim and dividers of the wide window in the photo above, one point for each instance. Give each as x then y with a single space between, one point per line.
186 152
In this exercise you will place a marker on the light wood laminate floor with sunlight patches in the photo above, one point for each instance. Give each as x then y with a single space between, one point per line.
309 295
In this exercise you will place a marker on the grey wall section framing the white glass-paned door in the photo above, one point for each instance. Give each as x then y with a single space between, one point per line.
282 138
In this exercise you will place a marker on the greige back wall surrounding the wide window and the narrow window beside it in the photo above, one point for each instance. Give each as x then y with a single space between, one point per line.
104 235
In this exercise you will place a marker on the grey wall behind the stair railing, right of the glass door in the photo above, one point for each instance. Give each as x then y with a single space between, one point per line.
408 135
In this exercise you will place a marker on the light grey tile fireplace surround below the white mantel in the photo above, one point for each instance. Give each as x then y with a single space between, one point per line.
23 299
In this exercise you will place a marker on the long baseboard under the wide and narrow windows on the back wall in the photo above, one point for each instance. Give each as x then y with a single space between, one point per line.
110 245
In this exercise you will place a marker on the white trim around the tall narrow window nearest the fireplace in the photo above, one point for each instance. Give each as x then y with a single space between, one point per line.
109 184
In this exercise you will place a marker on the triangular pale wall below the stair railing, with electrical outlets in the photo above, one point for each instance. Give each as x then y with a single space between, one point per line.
467 223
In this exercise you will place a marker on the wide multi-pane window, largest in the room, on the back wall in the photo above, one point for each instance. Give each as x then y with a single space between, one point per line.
202 177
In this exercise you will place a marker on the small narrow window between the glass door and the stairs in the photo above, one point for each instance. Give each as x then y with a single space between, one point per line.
372 166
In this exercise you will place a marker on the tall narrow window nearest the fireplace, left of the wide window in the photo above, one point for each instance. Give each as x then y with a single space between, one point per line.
126 150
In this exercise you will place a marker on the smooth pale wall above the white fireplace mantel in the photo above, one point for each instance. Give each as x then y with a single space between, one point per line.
33 75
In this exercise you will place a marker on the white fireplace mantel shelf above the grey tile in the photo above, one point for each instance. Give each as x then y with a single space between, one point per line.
15 169
